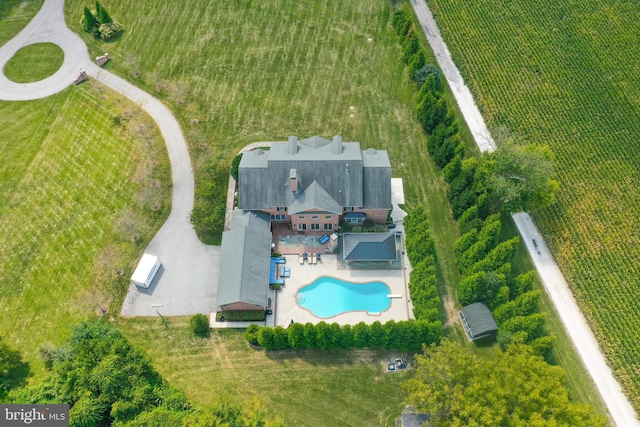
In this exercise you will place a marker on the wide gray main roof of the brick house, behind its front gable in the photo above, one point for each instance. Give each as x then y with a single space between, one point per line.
350 177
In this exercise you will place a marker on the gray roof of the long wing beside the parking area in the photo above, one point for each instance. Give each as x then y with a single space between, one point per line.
244 260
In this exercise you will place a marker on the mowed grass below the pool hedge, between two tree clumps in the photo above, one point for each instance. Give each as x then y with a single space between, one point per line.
310 388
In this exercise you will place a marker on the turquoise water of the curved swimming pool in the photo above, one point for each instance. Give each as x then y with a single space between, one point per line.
328 296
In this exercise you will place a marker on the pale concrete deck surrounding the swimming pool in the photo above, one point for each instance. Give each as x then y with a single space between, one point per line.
287 308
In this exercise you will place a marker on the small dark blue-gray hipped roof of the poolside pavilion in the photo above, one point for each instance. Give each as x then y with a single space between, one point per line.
369 247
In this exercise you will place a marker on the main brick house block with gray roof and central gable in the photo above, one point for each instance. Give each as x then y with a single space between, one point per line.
314 183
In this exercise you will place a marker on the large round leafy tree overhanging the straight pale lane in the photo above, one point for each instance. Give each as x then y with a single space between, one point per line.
520 176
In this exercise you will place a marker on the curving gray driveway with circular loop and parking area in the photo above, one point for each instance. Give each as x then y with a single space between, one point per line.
188 283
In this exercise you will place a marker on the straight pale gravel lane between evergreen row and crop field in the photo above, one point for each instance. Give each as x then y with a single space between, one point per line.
554 283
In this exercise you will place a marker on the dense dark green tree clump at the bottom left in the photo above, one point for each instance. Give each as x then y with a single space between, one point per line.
108 382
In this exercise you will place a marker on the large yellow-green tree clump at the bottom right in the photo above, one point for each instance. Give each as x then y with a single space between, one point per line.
513 388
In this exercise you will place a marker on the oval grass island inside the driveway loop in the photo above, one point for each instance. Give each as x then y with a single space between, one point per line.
27 64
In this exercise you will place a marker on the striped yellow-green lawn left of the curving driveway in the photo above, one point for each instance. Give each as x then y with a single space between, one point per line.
78 184
